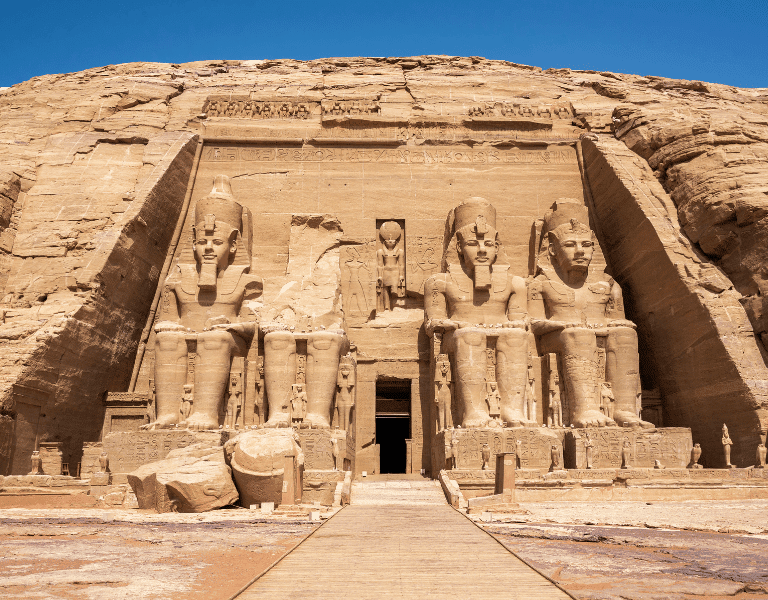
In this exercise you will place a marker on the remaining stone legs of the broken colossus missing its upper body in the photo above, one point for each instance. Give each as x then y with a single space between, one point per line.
320 375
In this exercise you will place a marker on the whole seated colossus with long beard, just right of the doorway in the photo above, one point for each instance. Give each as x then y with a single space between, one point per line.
476 297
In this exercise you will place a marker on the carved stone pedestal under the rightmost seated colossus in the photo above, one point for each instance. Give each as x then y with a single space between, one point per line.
669 445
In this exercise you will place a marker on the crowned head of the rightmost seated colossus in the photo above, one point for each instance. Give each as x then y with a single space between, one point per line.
571 241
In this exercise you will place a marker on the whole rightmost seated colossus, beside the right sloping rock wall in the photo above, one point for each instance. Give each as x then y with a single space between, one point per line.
569 306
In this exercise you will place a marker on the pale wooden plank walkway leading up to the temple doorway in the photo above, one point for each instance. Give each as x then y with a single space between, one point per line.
399 539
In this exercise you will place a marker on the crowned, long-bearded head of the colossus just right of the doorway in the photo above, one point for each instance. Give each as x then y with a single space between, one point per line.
477 238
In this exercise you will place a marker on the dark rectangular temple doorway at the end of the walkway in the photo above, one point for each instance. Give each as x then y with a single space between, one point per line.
393 423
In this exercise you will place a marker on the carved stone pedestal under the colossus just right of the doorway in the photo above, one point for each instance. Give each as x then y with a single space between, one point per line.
533 452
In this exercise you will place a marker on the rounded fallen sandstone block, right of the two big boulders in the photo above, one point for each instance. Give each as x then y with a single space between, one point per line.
258 463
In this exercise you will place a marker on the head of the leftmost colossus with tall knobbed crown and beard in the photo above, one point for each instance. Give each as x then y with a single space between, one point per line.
218 220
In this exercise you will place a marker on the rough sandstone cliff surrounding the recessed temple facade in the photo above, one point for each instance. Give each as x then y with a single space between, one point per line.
94 167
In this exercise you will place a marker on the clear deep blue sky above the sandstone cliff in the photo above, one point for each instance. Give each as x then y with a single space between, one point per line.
723 42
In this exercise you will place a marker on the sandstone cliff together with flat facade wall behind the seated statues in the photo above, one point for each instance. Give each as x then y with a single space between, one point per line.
95 167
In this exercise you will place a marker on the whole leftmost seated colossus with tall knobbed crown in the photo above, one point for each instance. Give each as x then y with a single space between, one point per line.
207 304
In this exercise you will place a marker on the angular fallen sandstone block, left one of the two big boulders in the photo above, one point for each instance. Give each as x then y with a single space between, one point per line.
191 479
